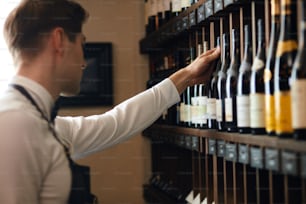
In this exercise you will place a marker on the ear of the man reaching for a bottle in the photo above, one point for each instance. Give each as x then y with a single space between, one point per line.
58 40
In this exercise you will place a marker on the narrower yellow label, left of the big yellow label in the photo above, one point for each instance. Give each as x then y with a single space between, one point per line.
270 113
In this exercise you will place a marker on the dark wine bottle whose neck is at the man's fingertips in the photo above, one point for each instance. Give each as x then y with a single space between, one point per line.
212 94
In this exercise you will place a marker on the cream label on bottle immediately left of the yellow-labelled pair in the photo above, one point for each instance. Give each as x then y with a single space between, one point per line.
257 110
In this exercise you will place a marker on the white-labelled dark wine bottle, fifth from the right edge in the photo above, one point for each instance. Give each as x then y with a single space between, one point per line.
243 85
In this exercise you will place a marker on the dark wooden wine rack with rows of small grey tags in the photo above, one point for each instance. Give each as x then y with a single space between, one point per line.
217 166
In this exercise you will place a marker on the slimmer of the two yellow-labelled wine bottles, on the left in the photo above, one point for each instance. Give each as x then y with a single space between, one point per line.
269 69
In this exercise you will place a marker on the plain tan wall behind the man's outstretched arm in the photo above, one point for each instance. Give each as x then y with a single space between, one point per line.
119 172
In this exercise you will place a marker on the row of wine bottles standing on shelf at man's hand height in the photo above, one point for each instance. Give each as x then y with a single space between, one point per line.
264 95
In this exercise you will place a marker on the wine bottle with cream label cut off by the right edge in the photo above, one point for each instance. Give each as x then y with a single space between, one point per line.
298 83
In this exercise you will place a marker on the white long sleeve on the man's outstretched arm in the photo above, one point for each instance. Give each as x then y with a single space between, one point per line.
86 135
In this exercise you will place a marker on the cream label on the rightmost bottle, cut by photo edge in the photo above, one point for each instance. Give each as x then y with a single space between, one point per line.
298 101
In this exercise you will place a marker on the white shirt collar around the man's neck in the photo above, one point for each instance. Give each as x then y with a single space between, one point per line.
41 96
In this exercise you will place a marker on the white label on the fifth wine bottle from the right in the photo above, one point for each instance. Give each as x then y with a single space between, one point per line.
243 111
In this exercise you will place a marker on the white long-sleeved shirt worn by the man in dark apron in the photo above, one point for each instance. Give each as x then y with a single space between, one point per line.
34 168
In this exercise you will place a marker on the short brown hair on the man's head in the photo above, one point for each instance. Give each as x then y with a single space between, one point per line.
31 20
